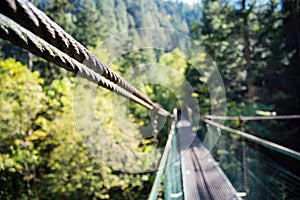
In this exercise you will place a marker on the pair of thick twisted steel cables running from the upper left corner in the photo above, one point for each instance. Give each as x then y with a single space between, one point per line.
29 28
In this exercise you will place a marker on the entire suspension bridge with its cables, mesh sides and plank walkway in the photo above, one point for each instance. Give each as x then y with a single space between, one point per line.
187 170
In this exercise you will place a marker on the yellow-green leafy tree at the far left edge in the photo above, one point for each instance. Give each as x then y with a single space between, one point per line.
22 99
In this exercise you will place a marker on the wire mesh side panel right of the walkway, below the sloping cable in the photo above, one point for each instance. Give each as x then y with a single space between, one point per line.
253 172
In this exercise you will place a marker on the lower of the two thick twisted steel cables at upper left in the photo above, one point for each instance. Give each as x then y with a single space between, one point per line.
23 38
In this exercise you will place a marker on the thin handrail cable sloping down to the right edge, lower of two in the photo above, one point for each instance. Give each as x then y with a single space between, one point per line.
263 142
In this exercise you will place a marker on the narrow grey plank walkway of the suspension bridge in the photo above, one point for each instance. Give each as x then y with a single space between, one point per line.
202 177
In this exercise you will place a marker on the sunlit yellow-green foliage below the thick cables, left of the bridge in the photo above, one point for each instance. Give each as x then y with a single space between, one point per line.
42 156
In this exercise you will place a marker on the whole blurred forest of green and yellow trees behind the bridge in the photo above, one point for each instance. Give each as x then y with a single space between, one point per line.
62 137
